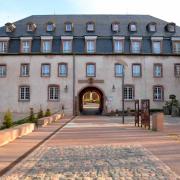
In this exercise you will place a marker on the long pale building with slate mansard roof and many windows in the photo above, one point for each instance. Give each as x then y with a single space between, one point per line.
53 60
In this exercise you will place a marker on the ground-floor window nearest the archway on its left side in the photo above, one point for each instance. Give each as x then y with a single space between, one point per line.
53 93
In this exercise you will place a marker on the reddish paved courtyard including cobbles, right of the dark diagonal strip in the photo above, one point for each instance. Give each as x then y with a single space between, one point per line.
97 147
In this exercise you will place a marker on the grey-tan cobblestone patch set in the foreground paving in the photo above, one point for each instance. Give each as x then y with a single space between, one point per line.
105 162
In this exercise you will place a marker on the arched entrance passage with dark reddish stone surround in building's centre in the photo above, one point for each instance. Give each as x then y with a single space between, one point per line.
91 101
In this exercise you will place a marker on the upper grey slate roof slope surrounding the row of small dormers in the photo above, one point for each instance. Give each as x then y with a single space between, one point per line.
102 25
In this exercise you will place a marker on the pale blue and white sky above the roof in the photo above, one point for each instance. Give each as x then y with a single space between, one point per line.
12 10
